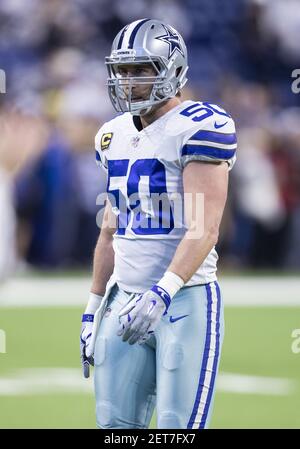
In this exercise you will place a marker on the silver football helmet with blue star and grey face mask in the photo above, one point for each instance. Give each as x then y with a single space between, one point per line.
146 41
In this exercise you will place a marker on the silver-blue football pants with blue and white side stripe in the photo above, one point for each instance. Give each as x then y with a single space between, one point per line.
175 370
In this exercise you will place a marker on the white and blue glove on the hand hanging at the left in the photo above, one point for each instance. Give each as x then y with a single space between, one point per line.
86 332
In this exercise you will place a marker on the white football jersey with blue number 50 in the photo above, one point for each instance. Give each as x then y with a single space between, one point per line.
144 183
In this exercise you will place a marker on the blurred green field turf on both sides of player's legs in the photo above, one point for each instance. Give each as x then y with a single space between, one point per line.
257 343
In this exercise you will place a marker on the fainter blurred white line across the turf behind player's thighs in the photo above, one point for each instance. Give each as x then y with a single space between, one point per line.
38 381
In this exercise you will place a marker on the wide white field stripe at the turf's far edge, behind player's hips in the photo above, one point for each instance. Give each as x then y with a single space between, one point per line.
239 291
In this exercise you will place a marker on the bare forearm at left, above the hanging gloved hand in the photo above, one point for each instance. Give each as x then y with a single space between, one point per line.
103 263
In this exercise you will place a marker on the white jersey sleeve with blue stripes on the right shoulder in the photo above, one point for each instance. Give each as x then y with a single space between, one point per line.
215 142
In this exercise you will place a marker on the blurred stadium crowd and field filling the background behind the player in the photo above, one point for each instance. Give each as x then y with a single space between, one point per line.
241 56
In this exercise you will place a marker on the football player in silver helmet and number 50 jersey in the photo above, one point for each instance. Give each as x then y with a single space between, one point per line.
153 325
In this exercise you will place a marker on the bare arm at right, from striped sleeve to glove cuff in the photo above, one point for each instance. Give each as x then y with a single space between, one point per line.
202 235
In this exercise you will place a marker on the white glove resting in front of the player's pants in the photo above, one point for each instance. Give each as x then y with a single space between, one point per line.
140 317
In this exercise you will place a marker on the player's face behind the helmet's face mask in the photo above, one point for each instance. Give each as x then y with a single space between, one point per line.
140 90
